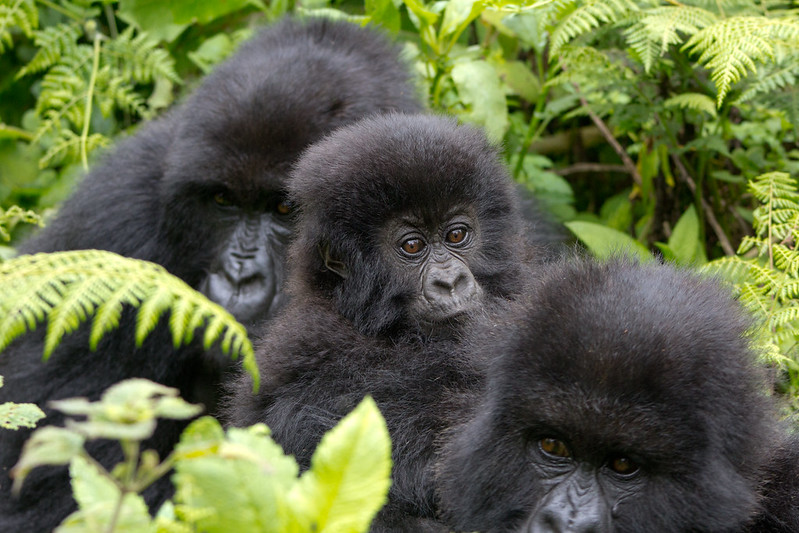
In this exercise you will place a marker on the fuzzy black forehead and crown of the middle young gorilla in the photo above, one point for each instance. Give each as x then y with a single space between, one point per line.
413 164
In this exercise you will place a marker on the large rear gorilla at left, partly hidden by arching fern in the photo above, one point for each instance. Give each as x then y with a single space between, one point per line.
201 192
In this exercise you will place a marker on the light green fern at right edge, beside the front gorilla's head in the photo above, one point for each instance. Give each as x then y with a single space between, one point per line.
766 271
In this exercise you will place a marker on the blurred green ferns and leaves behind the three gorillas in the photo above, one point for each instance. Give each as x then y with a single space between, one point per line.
653 125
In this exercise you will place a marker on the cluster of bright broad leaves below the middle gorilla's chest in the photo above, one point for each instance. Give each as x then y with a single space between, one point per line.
245 483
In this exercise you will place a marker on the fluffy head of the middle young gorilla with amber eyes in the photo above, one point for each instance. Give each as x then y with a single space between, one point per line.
406 222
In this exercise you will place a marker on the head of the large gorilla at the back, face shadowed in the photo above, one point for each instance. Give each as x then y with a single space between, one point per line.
238 136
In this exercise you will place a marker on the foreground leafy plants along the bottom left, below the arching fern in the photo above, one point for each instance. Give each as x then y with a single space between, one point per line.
238 480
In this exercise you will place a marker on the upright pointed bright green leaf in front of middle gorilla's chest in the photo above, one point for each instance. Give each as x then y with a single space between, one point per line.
350 474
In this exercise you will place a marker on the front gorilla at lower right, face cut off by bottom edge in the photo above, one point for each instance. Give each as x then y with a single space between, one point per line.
623 398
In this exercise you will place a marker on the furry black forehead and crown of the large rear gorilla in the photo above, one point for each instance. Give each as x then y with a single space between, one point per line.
284 89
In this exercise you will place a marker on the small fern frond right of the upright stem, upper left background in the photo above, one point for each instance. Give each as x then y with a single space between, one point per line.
139 58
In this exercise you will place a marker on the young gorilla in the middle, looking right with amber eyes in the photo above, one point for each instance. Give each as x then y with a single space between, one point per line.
408 226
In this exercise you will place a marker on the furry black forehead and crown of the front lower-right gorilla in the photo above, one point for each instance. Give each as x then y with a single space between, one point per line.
628 340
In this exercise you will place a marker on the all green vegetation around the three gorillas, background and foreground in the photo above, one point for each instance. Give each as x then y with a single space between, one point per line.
663 126
